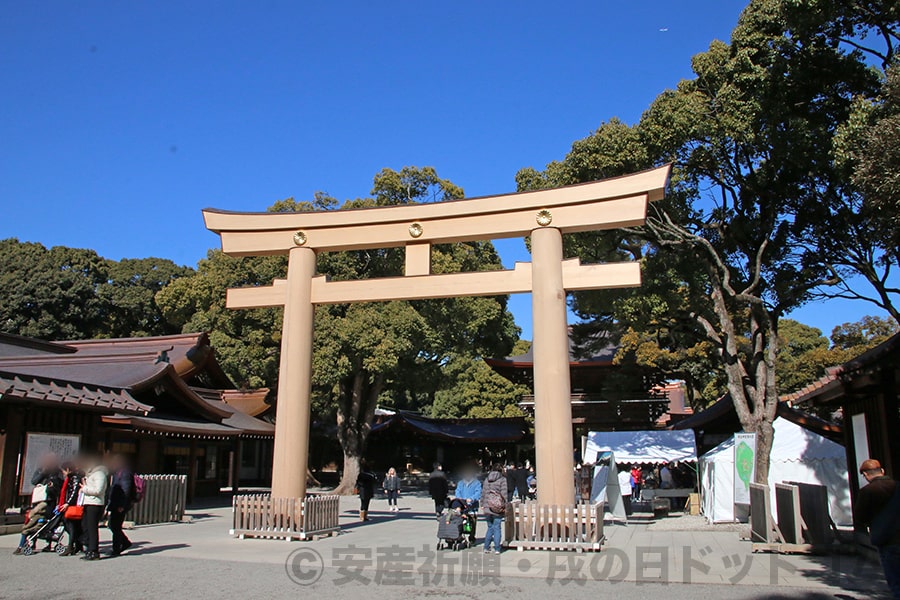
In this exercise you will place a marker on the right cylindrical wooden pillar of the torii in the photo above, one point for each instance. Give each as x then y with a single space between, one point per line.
552 387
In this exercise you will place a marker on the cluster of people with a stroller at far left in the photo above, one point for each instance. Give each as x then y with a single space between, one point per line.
81 490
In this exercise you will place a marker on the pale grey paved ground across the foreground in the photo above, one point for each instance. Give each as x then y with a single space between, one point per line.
399 550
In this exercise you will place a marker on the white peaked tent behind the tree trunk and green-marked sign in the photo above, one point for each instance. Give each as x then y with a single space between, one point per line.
797 455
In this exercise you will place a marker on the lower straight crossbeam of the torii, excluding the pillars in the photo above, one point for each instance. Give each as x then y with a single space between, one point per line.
481 283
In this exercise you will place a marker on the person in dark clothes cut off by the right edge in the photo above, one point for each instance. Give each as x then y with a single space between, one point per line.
878 508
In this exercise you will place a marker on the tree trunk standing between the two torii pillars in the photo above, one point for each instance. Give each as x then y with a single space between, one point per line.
356 411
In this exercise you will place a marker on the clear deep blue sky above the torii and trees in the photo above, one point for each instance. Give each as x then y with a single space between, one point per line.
121 120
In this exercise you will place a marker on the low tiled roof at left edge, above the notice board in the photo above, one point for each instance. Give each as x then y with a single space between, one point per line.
68 393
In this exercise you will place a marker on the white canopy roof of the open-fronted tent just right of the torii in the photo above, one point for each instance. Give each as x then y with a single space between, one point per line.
642 446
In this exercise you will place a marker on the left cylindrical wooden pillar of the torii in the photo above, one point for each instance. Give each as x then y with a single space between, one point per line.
291 454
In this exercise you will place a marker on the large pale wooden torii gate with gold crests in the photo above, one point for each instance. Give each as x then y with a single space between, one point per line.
544 215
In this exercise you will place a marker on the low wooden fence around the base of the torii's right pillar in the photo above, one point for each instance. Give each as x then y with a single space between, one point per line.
529 525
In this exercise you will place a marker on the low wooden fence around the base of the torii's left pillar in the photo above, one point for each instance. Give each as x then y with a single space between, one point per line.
262 516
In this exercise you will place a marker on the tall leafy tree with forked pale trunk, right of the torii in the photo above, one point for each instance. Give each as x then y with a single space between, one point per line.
738 242
